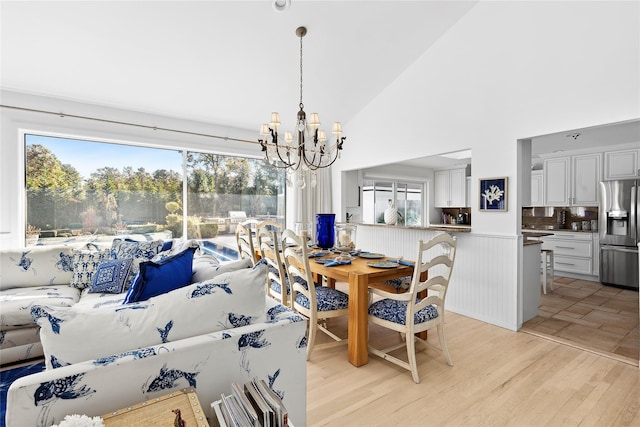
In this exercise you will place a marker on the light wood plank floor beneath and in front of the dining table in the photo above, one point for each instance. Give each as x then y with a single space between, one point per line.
499 378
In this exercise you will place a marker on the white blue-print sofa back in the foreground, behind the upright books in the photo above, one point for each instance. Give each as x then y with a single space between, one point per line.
274 351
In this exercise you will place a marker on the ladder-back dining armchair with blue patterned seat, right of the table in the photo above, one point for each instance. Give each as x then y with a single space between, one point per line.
410 315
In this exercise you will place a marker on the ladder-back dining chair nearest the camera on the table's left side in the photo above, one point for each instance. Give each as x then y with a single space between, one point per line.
316 303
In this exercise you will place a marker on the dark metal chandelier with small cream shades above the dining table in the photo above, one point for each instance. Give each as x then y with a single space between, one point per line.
309 150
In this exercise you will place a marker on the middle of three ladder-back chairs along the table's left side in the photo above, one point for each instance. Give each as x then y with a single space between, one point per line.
270 250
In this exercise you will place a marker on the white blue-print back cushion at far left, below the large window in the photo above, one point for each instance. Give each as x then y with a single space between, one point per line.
36 266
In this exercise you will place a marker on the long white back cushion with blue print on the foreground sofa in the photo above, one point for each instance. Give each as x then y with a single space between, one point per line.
77 334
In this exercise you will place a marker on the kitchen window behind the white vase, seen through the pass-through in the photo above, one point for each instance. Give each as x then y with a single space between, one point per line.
407 197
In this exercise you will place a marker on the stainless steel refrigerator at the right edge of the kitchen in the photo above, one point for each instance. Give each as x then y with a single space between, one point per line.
618 228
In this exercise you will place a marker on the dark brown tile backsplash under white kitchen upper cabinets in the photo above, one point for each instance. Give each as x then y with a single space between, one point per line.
578 218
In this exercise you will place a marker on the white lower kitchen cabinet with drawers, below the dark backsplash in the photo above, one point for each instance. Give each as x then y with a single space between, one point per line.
572 252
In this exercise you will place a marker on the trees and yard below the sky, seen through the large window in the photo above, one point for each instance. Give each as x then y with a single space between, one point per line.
60 201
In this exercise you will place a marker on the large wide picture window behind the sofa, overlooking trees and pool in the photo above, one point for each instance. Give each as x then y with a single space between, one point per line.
78 187
